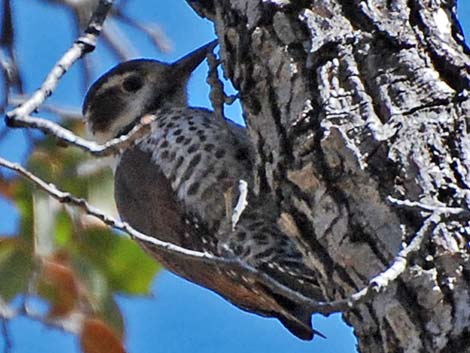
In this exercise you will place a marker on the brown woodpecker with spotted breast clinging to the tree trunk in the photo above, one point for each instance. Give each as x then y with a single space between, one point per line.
180 183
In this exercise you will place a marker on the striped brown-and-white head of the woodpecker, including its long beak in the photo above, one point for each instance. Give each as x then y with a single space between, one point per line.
117 100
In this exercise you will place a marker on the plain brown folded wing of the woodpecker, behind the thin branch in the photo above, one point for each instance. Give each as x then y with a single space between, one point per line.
147 202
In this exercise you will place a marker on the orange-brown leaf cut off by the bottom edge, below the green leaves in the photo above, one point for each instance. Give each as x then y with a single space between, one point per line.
97 337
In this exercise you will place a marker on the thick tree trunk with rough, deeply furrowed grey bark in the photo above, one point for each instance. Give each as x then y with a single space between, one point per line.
348 103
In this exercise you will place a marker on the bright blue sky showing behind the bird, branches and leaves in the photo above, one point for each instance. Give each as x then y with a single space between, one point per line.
181 317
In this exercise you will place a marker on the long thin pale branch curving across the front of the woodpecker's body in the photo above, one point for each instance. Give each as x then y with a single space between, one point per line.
376 284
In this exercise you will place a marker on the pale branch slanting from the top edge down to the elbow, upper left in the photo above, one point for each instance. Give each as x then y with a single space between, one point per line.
20 116
